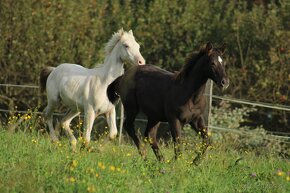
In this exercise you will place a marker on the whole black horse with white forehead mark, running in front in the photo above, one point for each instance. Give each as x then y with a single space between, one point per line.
174 98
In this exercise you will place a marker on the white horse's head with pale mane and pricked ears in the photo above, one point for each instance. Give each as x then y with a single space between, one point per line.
126 47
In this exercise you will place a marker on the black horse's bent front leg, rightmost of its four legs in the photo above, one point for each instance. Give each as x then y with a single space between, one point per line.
200 128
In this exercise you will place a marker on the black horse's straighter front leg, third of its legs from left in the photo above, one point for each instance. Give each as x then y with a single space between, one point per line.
175 128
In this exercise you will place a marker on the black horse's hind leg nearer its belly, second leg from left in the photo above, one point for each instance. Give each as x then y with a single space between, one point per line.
150 135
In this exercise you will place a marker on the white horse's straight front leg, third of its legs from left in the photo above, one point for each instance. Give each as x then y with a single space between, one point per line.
88 124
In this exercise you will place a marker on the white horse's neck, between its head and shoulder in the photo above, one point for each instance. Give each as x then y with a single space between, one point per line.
113 67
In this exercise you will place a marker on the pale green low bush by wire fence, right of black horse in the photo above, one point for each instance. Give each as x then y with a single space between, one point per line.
243 137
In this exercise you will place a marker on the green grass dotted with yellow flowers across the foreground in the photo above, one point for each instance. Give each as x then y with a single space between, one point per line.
29 162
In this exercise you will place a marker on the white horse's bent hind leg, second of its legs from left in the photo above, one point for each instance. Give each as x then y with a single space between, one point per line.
65 122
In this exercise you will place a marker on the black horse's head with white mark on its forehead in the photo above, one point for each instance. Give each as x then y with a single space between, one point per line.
216 66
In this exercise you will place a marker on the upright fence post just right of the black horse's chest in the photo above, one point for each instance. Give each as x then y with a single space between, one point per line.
208 96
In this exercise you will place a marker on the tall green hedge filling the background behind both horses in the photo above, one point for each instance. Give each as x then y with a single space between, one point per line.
36 33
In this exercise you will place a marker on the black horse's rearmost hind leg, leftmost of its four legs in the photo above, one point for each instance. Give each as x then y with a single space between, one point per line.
130 128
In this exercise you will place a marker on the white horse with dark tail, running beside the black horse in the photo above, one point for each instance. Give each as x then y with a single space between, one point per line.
85 90
